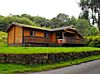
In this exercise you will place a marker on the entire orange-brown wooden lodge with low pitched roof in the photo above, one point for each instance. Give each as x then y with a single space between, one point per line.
25 35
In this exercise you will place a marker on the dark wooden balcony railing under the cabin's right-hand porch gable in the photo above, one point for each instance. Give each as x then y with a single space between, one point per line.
72 40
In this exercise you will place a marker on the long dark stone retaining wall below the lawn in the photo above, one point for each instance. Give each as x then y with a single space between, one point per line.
43 58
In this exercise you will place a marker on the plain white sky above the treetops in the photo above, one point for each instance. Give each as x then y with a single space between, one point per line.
44 8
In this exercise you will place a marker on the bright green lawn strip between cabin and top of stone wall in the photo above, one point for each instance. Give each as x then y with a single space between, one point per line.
32 50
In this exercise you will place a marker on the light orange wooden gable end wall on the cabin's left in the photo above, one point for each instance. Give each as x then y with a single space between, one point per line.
15 36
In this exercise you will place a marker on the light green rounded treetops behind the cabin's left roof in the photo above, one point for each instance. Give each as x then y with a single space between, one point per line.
6 21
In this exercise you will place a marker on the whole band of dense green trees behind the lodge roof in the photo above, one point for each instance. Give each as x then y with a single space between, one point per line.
82 25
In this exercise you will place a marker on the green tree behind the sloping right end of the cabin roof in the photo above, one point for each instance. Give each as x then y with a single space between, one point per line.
83 26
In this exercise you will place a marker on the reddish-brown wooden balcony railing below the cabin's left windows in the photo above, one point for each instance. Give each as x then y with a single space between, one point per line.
32 39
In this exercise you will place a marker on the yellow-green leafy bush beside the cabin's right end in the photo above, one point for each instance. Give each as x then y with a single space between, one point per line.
93 41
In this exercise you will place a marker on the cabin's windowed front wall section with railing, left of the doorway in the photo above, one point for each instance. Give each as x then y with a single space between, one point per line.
37 37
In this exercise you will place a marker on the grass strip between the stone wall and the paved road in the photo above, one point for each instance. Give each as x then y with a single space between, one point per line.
13 68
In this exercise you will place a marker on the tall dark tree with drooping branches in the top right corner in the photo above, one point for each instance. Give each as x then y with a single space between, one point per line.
91 8
